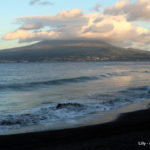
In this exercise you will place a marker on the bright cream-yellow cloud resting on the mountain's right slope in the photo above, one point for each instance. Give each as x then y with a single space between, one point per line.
115 29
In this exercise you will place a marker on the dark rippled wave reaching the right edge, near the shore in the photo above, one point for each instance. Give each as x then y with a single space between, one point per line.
128 95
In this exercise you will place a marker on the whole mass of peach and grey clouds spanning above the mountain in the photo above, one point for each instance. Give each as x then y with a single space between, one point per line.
114 25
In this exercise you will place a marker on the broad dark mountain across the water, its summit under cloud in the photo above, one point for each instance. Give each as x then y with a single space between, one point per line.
71 50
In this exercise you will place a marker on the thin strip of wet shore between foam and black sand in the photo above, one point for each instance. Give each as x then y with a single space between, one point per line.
97 119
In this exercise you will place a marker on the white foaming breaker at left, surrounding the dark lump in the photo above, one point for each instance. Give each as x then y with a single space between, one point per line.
47 114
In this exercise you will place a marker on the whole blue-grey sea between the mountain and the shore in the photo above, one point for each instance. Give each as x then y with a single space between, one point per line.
47 94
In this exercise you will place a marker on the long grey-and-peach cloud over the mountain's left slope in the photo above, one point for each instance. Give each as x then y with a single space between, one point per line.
65 24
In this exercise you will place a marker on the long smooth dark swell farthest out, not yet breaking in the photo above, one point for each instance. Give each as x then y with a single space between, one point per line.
24 86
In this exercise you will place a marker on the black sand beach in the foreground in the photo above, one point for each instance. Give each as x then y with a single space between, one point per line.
130 131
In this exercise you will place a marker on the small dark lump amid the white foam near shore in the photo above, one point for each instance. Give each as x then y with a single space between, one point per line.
66 105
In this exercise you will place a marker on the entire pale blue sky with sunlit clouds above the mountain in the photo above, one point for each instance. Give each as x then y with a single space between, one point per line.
124 23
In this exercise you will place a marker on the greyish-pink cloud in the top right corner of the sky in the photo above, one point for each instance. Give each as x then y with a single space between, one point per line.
134 11
